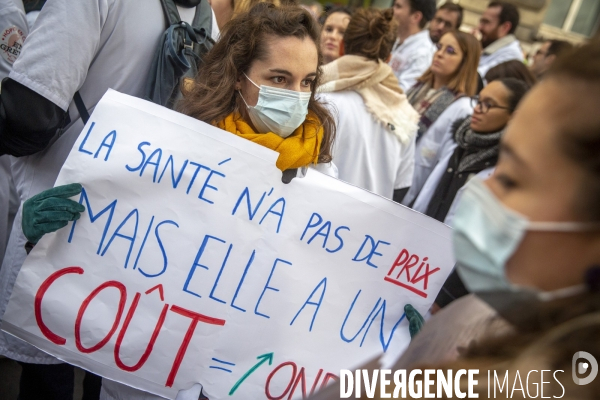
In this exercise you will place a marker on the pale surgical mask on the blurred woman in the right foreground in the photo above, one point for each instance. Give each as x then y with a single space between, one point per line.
486 234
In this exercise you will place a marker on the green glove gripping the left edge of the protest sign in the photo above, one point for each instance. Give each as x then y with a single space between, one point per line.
50 210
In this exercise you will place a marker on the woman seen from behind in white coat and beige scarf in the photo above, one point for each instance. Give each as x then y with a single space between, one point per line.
375 145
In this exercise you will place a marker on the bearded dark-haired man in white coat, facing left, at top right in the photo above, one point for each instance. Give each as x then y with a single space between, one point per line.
497 26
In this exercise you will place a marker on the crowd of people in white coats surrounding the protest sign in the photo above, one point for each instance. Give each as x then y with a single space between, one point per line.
400 102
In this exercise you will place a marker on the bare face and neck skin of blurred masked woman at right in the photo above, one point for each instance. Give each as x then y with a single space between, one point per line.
534 178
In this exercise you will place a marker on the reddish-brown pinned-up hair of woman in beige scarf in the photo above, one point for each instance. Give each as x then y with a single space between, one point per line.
371 33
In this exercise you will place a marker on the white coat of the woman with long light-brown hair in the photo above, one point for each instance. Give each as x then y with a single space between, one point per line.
436 144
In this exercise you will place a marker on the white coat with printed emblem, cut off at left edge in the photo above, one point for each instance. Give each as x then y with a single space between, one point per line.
12 19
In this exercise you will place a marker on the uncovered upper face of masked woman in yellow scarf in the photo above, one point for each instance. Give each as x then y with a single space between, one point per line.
290 63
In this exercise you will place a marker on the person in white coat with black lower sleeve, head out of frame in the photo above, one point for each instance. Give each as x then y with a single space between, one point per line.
87 46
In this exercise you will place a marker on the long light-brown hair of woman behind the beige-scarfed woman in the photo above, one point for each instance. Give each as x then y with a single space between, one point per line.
465 77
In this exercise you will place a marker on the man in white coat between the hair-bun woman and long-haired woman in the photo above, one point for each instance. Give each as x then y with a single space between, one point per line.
413 50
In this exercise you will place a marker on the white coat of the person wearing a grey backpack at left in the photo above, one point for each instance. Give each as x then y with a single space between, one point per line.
90 46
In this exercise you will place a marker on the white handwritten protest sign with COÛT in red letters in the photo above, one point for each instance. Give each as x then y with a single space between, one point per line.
193 262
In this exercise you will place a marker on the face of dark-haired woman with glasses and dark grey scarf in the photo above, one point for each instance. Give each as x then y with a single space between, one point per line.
495 99
